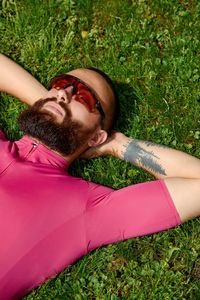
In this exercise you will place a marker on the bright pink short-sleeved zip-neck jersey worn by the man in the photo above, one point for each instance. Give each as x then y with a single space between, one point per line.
48 219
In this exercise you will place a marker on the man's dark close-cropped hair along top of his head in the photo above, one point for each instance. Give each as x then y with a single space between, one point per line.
111 84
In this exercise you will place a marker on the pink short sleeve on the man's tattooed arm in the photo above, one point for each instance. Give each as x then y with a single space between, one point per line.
140 209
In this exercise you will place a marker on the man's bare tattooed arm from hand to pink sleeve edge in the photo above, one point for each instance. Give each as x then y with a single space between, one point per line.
180 171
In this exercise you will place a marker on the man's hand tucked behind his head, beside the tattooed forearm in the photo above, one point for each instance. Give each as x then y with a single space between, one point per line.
112 146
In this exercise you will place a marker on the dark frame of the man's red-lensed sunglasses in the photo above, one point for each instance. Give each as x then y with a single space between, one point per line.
98 104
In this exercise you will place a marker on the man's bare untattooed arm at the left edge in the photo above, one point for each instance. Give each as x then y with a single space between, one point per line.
17 82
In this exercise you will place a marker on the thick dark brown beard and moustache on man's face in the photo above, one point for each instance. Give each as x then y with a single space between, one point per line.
64 138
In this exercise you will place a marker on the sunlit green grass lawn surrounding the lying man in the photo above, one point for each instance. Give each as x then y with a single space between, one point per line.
151 49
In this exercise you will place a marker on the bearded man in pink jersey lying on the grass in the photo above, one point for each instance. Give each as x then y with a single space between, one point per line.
48 219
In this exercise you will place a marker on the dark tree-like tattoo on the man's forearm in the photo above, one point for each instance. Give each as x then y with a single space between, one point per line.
140 157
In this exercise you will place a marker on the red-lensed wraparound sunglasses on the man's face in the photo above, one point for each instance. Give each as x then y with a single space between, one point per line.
82 92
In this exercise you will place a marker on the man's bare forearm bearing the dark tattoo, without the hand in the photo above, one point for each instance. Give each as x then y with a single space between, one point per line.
161 161
